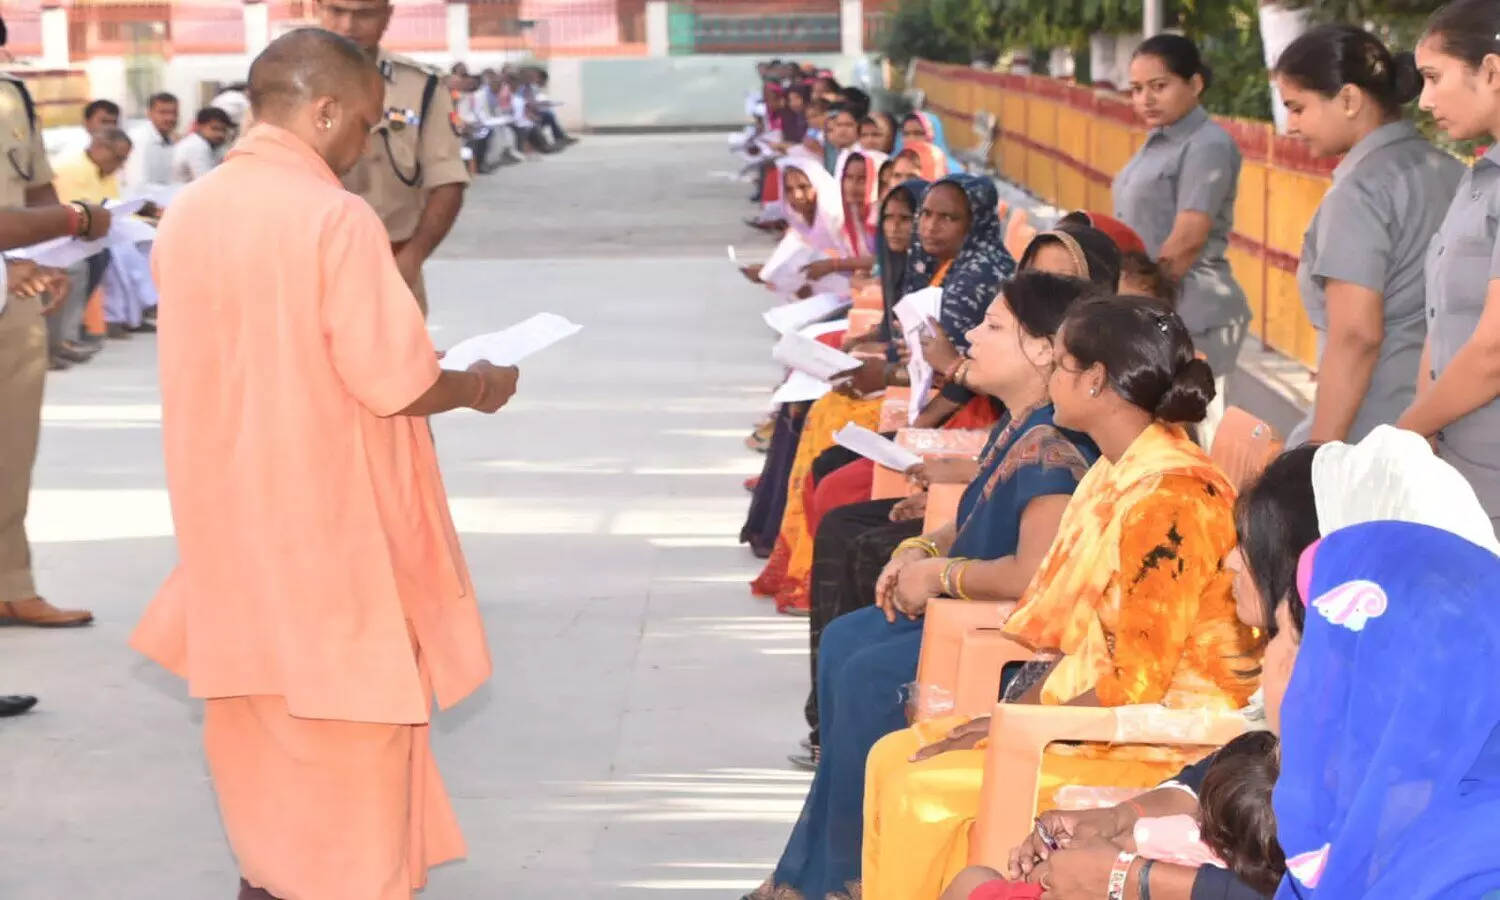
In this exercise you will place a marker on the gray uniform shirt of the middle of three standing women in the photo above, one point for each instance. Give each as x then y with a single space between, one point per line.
1373 230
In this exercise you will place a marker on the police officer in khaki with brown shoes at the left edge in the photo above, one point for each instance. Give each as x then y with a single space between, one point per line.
29 214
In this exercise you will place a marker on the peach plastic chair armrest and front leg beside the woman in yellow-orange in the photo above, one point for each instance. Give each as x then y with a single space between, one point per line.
1019 737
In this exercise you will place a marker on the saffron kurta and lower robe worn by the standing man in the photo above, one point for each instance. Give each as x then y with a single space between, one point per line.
317 559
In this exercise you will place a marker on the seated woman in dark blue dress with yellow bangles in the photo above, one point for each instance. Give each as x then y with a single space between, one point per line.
1007 521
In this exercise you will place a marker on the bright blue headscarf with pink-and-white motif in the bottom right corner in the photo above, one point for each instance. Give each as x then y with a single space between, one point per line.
1390 752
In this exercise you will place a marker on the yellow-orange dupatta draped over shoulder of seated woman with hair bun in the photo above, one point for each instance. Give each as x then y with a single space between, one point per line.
1078 578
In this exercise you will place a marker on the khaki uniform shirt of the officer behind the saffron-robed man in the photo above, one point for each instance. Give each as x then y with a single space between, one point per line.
397 155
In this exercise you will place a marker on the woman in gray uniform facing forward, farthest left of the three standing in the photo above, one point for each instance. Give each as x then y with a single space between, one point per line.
1178 193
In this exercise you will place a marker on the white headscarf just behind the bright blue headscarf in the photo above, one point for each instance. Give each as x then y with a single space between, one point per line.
1394 476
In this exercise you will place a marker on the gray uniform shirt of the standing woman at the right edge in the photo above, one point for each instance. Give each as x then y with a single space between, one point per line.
1460 265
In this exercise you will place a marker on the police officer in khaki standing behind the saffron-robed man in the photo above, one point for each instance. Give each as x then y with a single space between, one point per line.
413 172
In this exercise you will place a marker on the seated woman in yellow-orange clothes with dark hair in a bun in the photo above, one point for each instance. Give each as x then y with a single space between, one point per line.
1133 595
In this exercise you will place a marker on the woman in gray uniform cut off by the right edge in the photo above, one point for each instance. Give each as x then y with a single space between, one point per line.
1460 379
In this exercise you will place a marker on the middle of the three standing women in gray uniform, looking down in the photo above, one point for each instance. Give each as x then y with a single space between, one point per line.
1363 257
